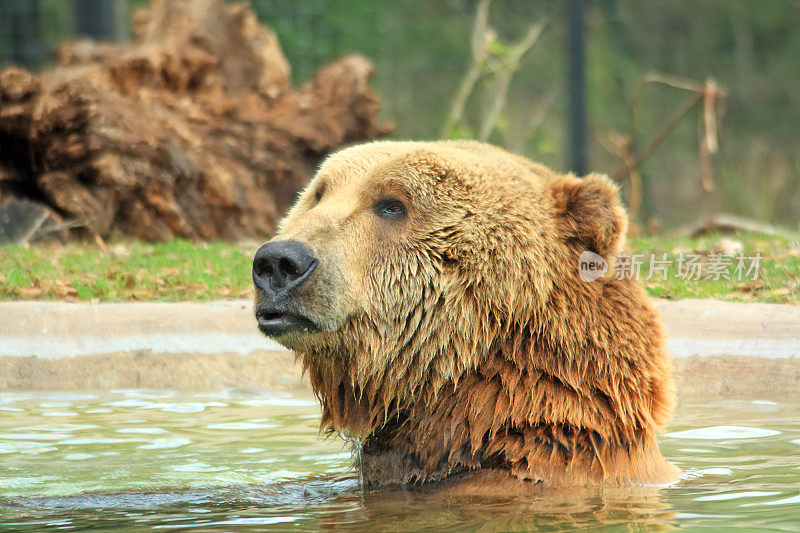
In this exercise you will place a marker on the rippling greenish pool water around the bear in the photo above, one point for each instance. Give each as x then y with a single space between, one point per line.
143 460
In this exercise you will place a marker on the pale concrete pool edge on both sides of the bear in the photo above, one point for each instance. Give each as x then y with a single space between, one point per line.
721 349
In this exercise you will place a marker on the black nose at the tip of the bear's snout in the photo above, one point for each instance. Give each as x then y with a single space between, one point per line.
281 266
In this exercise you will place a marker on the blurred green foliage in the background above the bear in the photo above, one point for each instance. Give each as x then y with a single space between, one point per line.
421 50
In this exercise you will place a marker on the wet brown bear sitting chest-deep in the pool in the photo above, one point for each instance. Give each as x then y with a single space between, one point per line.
432 292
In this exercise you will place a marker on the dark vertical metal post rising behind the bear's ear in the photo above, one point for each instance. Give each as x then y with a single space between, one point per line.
576 81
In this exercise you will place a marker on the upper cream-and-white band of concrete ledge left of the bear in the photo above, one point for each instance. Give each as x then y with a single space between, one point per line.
51 330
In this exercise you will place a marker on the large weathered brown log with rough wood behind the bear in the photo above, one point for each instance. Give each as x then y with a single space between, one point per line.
192 130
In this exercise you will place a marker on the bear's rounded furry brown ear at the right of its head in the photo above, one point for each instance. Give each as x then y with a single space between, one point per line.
589 211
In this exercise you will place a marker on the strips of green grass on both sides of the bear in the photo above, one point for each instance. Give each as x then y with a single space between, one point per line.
185 270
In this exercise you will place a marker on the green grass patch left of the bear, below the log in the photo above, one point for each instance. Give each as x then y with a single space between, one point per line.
127 270
